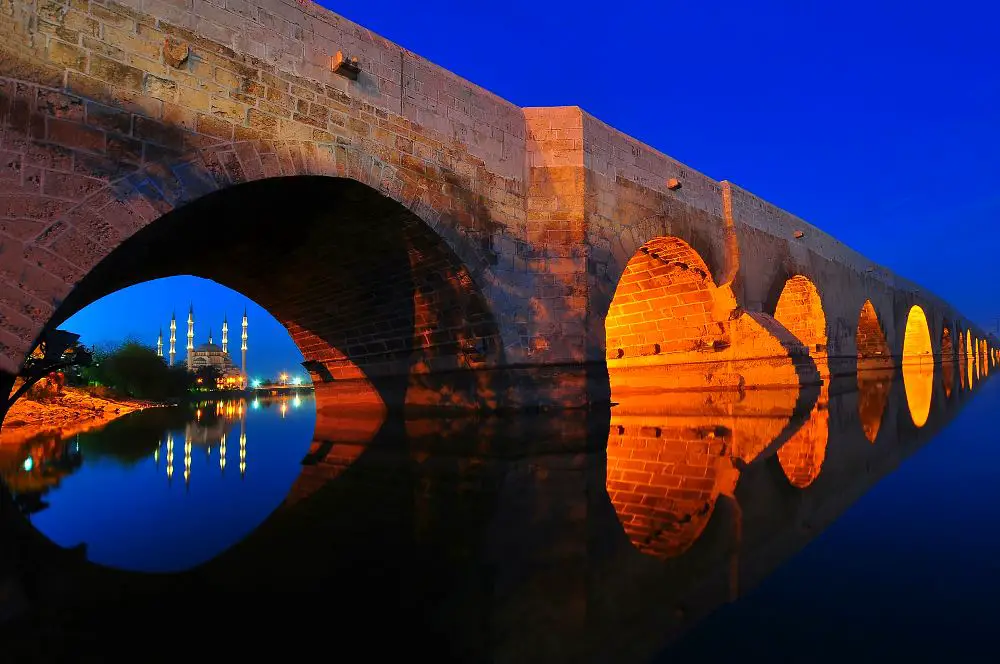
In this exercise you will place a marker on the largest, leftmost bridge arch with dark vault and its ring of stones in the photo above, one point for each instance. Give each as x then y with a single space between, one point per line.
362 271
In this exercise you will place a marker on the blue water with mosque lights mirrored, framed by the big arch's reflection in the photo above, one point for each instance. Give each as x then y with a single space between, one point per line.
105 487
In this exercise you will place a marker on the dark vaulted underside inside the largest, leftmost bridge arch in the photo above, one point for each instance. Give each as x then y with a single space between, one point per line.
366 289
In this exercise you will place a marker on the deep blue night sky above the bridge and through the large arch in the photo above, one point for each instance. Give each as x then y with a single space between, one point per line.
875 121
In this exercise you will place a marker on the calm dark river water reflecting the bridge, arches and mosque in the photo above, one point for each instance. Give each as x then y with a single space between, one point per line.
851 522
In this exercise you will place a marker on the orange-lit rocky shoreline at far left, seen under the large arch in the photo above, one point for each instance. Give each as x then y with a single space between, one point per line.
72 411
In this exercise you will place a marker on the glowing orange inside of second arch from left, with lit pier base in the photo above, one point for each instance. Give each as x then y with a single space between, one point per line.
667 312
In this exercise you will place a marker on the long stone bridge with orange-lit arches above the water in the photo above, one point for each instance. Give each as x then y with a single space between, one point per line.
425 242
